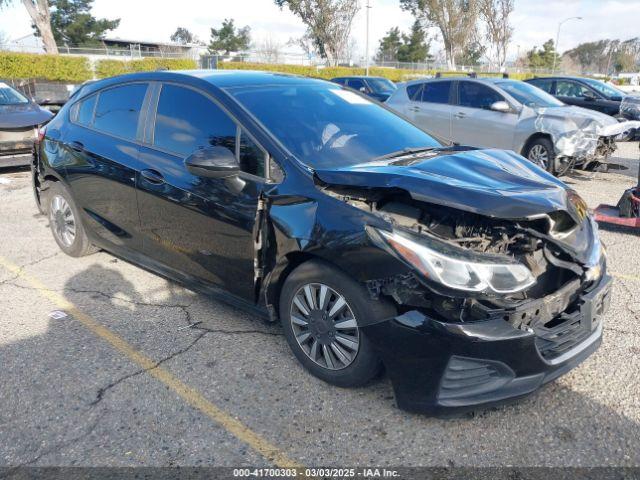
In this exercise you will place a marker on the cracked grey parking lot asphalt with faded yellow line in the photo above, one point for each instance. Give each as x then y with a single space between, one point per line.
123 380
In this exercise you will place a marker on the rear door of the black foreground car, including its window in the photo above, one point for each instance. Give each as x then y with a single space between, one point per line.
101 150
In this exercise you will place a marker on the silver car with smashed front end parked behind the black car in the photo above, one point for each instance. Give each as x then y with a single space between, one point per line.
508 114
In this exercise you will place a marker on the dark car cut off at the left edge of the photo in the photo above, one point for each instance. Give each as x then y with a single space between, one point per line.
19 122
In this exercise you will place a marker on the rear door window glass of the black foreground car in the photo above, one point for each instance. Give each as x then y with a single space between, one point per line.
118 110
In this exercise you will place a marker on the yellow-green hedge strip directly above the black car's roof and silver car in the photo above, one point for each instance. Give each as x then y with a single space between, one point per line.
394 74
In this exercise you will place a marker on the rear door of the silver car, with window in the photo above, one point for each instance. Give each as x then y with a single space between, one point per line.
430 108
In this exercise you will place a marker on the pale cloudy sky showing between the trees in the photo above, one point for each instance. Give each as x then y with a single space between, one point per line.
535 21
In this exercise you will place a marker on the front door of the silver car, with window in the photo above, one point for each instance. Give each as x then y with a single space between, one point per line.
475 124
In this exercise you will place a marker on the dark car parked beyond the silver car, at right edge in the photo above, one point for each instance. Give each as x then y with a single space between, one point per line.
588 93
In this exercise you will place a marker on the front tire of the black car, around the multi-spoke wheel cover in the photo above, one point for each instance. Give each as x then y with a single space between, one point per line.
365 364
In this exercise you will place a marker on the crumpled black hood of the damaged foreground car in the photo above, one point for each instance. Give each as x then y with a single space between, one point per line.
494 183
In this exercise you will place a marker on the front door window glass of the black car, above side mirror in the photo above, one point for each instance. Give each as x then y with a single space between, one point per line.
187 120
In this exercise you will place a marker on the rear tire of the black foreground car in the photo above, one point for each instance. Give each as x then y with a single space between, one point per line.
80 244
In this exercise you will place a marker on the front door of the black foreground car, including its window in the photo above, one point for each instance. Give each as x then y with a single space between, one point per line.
200 227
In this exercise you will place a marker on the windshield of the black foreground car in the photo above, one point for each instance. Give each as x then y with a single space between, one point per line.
326 126
